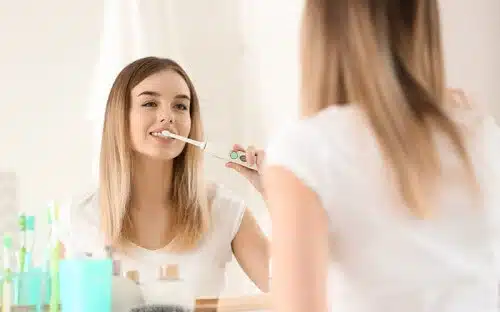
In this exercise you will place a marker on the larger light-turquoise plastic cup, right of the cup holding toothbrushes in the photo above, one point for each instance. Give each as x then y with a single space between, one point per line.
85 285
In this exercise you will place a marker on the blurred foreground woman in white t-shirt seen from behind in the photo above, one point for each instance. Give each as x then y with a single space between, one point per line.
389 176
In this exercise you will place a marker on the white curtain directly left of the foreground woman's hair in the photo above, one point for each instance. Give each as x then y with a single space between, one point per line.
271 29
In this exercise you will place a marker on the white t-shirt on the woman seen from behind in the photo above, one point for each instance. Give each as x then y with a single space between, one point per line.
389 261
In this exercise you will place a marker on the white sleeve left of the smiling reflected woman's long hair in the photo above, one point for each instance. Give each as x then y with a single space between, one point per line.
79 224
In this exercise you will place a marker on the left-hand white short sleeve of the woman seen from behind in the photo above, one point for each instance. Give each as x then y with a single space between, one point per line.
299 148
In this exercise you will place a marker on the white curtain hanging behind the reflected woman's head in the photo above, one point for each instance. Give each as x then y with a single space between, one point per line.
131 29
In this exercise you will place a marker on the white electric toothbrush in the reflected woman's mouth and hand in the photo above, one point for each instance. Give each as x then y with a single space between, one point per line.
237 157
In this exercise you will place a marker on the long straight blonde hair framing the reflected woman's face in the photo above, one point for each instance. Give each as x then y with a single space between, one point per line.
189 201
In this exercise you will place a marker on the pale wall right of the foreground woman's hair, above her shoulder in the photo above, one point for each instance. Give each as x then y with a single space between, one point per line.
471 31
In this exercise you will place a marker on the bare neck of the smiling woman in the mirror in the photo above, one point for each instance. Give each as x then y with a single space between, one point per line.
151 183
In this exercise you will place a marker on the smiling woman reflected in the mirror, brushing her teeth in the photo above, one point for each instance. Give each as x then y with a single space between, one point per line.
153 206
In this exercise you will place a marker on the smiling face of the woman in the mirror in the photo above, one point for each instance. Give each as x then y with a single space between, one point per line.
160 102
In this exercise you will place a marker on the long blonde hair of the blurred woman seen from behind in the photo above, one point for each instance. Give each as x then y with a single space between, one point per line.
385 56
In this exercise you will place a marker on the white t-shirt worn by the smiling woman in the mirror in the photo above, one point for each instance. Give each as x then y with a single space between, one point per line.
201 271
